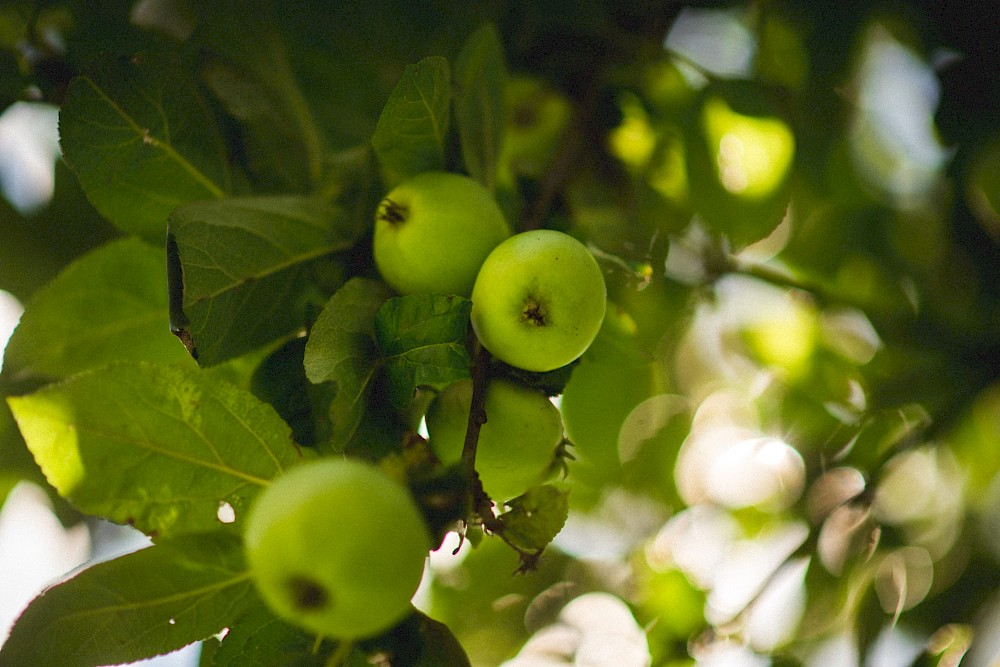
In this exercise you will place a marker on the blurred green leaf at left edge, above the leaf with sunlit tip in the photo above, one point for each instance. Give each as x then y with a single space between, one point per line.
109 305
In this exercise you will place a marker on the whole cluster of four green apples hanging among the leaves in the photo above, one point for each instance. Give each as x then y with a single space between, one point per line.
315 541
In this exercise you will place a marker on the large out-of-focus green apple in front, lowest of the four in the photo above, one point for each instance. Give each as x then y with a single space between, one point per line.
337 547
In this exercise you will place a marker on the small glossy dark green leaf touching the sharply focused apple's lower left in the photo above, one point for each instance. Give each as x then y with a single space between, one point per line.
422 337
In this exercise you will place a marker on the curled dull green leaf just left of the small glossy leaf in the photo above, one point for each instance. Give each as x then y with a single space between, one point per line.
341 350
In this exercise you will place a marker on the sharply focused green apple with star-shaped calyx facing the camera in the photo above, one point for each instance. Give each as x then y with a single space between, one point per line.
539 300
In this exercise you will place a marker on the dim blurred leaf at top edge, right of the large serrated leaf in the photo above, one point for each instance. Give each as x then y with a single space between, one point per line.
245 62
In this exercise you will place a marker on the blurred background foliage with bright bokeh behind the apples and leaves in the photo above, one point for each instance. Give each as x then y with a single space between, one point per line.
787 435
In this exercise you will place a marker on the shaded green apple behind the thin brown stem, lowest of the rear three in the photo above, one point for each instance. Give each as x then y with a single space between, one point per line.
517 444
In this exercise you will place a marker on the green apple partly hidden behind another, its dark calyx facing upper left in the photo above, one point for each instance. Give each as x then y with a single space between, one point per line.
433 231
